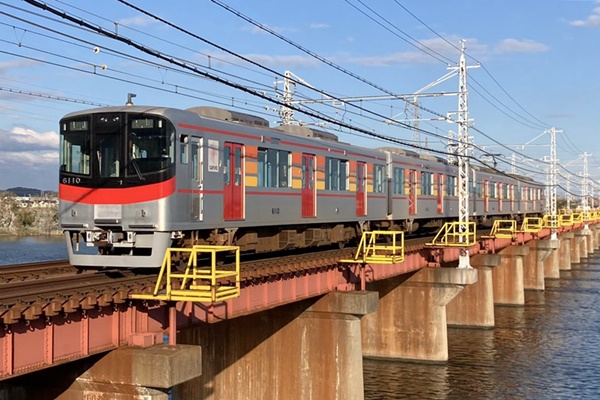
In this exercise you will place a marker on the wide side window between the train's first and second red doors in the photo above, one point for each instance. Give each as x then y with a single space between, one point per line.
274 168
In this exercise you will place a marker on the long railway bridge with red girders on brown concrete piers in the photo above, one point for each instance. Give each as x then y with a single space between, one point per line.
295 327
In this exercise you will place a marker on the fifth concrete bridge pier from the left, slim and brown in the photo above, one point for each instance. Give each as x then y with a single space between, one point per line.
508 276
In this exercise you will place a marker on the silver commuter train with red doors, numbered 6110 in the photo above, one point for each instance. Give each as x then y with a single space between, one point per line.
136 180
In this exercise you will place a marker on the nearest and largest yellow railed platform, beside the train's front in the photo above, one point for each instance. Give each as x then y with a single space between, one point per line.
197 283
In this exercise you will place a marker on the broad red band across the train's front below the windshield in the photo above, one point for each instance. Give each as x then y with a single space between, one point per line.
130 195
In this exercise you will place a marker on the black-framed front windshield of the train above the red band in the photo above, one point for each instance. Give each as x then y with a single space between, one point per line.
135 147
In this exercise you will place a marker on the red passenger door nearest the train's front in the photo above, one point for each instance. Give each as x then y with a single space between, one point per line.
233 185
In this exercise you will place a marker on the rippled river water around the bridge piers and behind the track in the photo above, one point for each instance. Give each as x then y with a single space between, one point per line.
547 349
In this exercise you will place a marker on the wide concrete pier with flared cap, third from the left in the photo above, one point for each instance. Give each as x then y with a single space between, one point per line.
411 320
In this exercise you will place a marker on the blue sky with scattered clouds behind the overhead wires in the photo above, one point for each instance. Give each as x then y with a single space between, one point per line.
539 69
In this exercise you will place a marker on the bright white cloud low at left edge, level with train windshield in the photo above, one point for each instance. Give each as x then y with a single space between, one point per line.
20 139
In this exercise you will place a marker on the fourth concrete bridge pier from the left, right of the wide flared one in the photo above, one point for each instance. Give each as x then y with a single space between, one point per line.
474 306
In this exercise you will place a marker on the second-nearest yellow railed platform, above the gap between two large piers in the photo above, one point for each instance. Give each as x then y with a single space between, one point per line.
388 251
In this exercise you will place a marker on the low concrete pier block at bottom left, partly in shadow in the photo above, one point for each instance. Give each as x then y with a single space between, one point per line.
127 373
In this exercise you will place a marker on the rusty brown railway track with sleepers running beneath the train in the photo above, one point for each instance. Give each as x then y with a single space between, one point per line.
29 291
